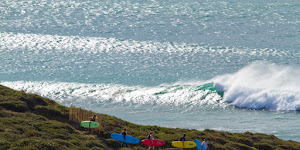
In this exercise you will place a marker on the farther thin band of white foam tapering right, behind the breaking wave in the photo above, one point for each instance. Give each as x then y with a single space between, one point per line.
40 43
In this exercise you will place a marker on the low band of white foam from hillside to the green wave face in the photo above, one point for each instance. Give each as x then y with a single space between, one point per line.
68 93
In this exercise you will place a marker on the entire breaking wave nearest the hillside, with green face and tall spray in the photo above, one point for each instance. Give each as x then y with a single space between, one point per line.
259 85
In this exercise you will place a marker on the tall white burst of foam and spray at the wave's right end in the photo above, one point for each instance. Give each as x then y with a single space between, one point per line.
262 85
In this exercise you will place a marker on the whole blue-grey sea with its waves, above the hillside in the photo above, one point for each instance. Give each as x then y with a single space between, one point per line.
225 65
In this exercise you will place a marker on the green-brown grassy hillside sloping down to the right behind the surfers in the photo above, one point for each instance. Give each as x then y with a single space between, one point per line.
29 121
